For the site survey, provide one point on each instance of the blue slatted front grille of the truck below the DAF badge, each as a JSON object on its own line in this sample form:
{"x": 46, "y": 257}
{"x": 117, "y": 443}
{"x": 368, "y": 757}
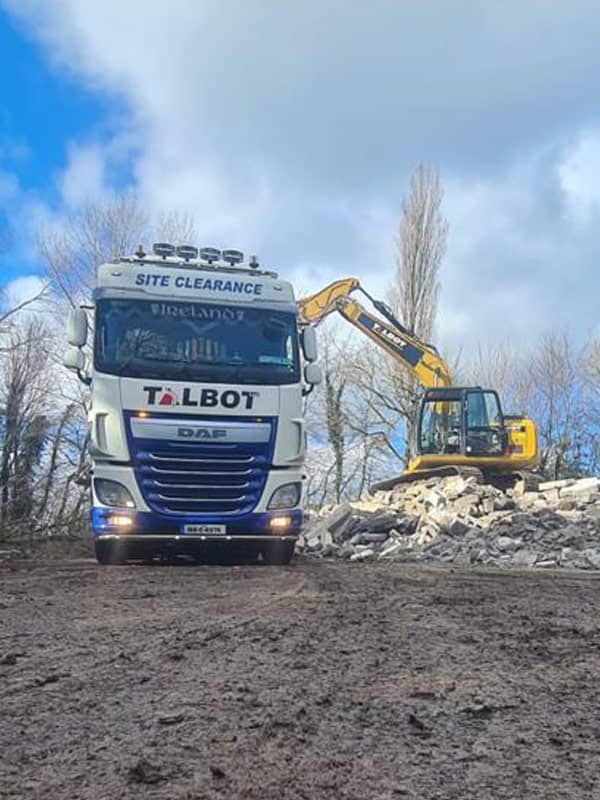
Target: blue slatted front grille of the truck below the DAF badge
{"x": 178, "y": 478}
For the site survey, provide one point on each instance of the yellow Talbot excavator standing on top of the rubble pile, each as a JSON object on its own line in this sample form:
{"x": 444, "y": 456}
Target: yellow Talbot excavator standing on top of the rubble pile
{"x": 460, "y": 429}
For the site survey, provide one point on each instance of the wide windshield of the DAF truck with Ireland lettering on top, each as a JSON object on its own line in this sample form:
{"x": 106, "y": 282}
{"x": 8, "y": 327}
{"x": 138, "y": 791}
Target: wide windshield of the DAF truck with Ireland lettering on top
{"x": 196, "y": 342}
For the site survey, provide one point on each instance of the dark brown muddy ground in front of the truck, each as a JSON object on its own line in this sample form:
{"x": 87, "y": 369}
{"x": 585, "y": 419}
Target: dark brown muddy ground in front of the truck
{"x": 316, "y": 680}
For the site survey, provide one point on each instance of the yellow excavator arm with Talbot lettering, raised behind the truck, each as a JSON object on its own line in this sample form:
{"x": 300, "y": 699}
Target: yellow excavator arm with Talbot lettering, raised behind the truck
{"x": 420, "y": 358}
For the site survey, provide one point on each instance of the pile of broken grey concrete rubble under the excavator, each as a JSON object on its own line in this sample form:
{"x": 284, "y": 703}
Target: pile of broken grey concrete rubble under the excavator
{"x": 456, "y": 519}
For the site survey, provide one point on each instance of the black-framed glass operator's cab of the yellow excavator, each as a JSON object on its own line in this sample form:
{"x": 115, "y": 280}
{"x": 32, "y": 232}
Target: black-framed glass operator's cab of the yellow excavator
{"x": 461, "y": 421}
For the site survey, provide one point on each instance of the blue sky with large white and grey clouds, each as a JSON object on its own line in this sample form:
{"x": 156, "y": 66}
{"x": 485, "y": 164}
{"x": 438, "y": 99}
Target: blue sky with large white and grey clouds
{"x": 290, "y": 130}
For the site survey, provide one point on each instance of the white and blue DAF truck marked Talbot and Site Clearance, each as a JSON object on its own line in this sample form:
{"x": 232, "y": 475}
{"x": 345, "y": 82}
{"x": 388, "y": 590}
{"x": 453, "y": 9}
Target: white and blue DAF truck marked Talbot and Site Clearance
{"x": 197, "y": 367}
